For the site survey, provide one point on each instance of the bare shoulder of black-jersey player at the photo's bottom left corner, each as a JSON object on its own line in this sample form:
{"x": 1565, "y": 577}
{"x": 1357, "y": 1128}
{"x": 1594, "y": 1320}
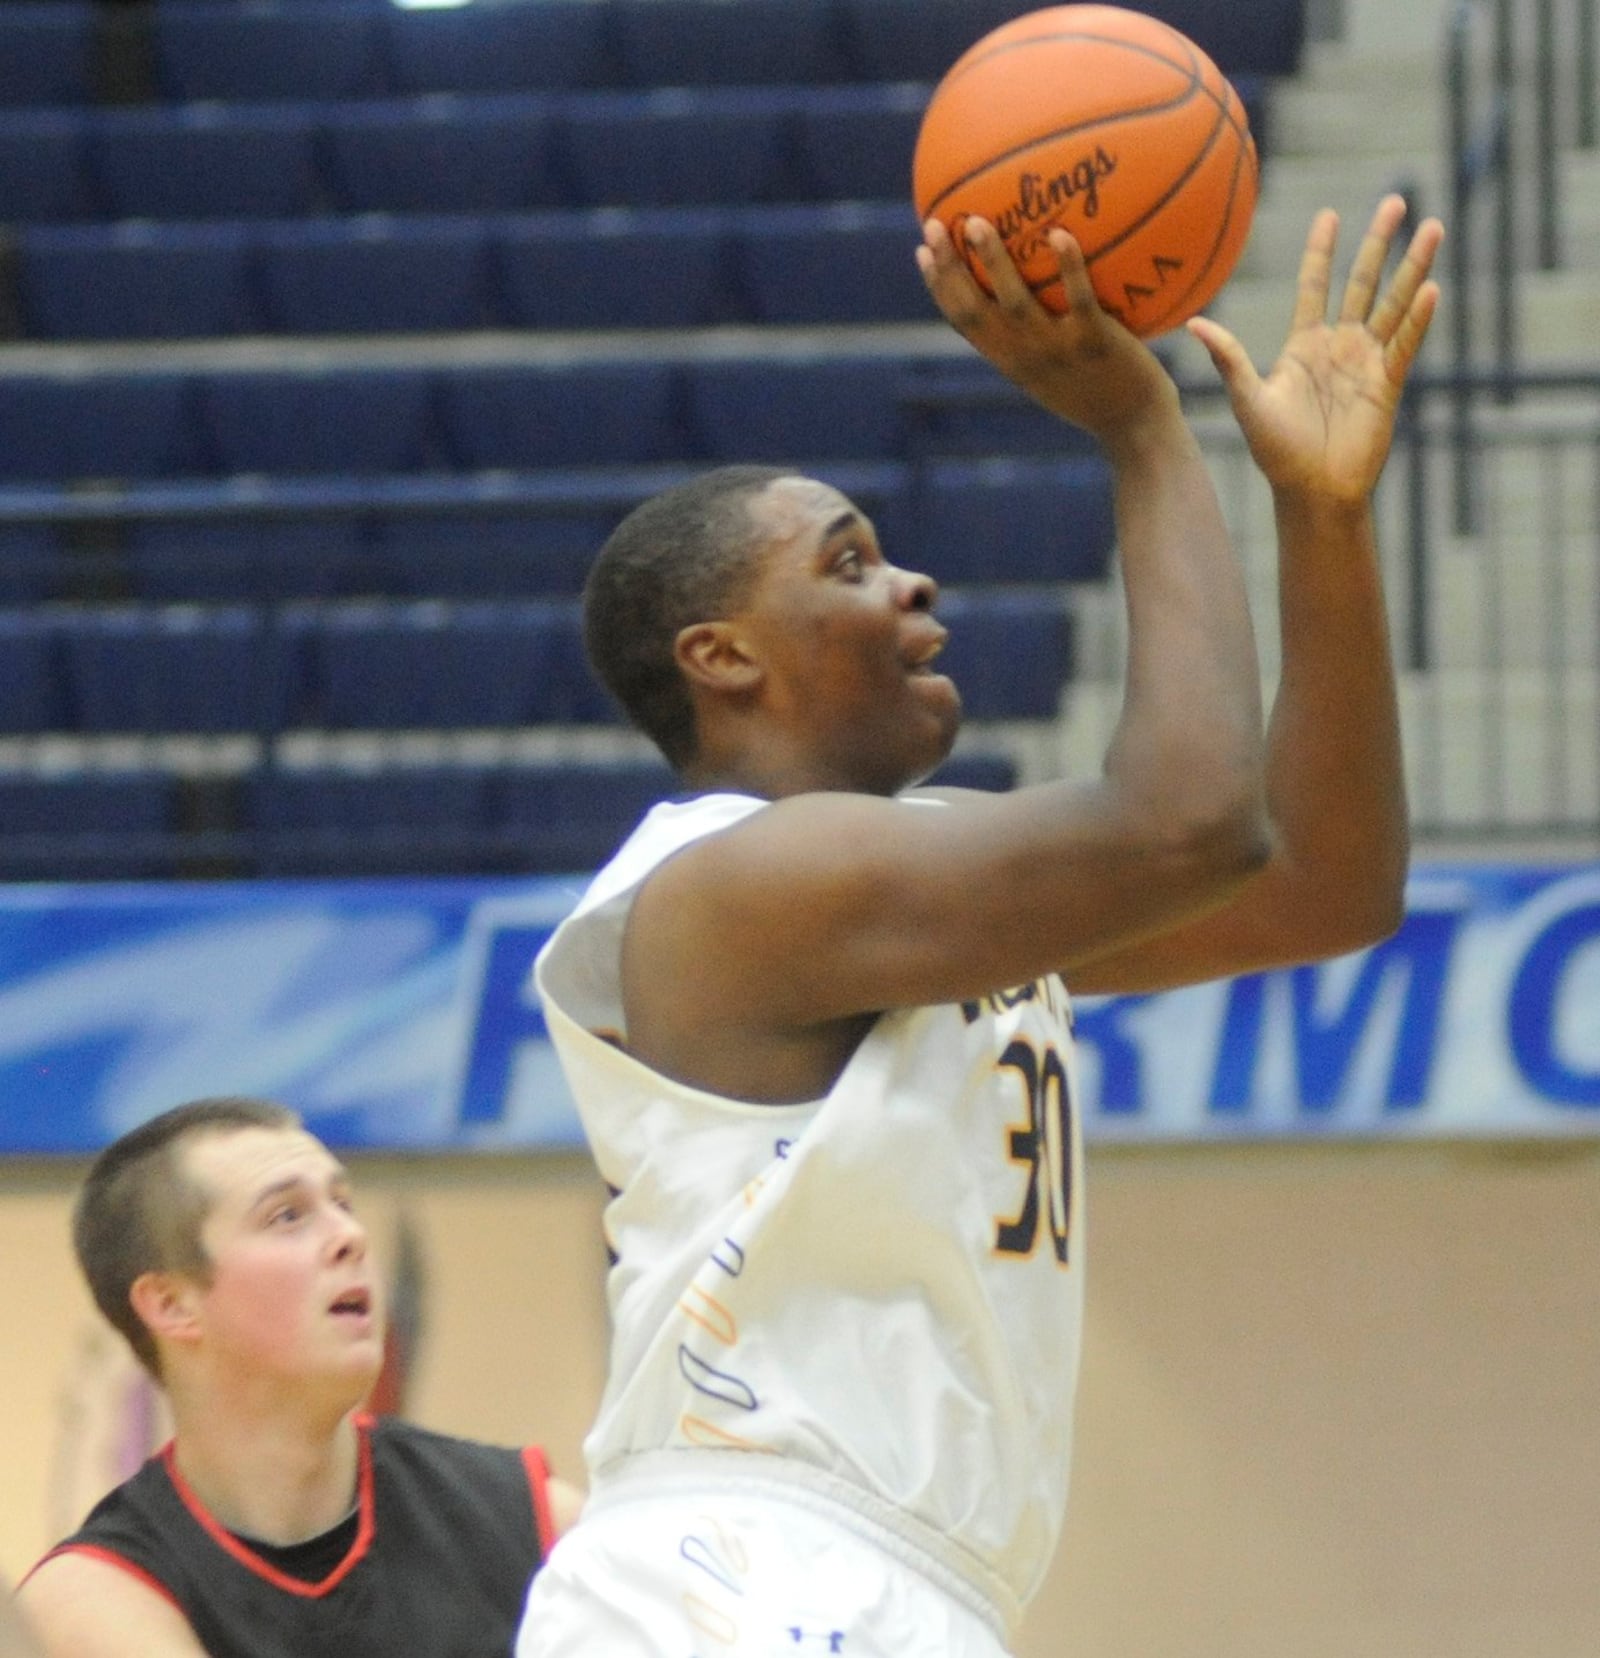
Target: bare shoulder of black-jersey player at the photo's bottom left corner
{"x": 82, "y": 1606}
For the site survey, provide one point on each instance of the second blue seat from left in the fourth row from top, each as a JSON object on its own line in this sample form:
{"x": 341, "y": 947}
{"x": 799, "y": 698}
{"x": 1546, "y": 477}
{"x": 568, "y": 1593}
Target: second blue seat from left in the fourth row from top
{"x": 331, "y": 420}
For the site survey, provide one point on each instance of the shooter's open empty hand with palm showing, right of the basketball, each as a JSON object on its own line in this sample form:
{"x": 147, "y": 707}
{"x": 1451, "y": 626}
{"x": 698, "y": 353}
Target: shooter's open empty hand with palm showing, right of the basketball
{"x": 1322, "y": 420}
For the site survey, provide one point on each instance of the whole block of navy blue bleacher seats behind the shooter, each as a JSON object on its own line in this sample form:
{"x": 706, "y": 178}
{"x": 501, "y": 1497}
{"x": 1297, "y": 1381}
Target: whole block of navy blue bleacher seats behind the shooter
{"x": 251, "y": 588}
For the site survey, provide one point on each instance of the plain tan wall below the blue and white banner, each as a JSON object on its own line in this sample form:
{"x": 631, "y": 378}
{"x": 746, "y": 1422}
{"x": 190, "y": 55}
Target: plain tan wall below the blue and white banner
{"x": 1337, "y": 1402}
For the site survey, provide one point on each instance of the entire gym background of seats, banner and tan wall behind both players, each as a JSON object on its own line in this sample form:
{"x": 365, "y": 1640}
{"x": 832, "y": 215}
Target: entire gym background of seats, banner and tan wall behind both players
{"x": 332, "y": 337}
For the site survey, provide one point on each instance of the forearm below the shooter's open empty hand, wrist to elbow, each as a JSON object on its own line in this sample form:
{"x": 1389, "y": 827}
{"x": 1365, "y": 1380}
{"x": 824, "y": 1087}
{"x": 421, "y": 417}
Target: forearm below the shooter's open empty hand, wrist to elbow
{"x": 1334, "y": 768}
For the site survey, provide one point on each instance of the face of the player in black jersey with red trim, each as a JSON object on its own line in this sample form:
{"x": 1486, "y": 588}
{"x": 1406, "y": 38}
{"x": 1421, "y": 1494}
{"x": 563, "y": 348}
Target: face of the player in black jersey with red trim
{"x": 293, "y": 1292}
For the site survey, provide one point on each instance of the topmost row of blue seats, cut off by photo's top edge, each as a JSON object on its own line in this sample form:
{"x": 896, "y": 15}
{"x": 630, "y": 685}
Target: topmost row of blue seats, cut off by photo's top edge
{"x": 226, "y": 51}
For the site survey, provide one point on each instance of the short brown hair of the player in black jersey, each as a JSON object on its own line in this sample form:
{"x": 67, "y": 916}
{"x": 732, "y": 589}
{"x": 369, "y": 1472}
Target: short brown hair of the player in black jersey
{"x": 140, "y": 1213}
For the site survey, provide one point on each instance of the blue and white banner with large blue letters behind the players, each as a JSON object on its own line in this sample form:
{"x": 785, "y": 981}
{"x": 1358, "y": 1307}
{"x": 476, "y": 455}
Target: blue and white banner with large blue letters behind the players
{"x": 402, "y": 1016}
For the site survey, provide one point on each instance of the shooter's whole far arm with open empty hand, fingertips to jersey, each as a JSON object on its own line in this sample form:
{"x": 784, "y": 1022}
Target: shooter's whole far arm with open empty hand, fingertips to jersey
{"x": 1319, "y": 427}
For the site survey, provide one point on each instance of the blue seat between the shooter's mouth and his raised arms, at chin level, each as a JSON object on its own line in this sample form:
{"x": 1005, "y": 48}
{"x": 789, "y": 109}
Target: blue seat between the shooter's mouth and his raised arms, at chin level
{"x": 1009, "y": 652}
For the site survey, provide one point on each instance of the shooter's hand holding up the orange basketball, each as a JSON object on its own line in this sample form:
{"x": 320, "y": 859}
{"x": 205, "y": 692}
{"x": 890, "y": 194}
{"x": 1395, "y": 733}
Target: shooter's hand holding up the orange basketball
{"x": 1082, "y": 364}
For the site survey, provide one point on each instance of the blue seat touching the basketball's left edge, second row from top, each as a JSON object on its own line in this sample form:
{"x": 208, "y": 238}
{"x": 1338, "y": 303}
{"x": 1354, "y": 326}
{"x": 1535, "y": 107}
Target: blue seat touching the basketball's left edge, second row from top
{"x": 856, "y": 142}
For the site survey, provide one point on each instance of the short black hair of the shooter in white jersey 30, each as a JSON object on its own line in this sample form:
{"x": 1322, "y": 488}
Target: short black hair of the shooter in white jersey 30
{"x": 681, "y": 558}
